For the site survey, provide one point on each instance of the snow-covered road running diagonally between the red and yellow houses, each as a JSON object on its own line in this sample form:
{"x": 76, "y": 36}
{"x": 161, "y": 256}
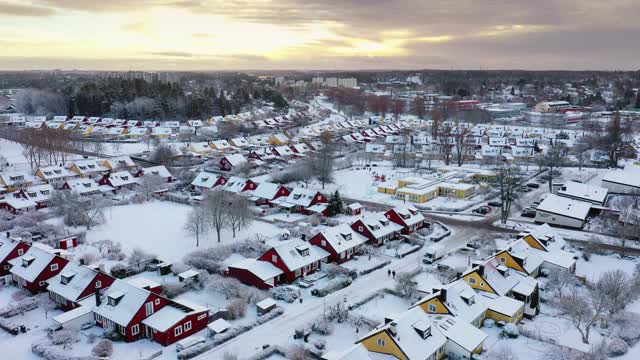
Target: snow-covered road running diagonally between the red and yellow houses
{"x": 279, "y": 331}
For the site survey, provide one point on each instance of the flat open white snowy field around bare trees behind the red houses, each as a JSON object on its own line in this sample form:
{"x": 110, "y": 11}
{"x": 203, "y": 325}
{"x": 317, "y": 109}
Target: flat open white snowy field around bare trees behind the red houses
{"x": 158, "y": 227}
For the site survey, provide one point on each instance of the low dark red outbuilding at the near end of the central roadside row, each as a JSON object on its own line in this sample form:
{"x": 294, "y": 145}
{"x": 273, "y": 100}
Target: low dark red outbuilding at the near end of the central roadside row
{"x": 261, "y": 274}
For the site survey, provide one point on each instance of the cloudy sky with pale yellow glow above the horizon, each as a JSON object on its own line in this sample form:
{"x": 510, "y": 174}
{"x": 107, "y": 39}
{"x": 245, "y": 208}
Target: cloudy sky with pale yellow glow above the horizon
{"x": 319, "y": 34}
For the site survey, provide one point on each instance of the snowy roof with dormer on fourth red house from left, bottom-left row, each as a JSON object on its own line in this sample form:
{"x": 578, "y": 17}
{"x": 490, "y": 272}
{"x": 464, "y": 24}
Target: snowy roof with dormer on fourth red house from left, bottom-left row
{"x": 129, "y": 299}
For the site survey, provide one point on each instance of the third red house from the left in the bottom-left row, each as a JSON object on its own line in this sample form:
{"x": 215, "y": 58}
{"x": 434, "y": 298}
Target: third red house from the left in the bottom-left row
{"x": 75, "y": 283}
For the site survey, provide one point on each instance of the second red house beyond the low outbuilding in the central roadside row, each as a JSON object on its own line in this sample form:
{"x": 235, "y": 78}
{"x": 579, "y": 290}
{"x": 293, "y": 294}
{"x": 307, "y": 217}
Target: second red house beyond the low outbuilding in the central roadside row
{"x": 341, "y": 242}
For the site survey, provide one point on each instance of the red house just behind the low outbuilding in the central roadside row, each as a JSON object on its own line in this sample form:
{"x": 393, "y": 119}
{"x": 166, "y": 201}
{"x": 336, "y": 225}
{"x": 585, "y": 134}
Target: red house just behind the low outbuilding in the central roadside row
{"x": 296, "y": 259}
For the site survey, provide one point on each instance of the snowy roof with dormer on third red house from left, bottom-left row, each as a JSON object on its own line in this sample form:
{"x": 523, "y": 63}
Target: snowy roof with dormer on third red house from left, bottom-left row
{"x": 72, "y": 281}
